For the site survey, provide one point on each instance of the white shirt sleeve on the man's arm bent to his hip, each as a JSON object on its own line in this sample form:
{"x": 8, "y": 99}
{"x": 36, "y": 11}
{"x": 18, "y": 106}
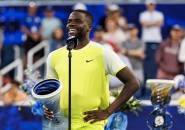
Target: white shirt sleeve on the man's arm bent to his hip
{"x": 113, "y": 64}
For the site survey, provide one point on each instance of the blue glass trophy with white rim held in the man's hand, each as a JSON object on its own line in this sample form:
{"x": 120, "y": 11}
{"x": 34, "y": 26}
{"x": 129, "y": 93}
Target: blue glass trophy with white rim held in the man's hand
{"x": 47, "y": 92}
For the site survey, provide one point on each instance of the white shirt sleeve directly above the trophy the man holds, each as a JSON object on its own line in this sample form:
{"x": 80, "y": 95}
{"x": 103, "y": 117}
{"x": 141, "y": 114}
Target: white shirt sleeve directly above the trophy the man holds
{"x": 50, "y": 72}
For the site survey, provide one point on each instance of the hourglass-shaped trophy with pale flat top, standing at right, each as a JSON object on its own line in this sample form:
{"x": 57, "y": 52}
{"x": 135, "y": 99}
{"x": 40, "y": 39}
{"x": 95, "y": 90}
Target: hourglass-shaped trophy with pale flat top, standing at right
{"x": 159, "y": 118}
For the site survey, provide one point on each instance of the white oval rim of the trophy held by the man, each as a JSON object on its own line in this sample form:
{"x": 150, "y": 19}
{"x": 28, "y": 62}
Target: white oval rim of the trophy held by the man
{"x": 47, "y": 95}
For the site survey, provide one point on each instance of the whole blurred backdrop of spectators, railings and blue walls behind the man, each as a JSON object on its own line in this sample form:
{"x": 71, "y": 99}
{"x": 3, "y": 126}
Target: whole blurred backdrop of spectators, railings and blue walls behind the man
{"x": 147, "y": 35}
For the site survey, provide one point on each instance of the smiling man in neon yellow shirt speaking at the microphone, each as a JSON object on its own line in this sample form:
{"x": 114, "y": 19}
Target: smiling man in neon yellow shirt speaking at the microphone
{"x": 91, "y": 64}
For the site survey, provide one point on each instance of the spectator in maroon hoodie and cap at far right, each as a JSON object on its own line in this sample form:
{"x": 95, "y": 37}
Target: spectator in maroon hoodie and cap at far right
{"x": 167, "y": 55}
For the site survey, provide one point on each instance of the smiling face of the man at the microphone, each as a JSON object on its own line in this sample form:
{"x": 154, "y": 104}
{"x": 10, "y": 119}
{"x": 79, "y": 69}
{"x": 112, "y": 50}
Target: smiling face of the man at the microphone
{"x": 78, "y": 25}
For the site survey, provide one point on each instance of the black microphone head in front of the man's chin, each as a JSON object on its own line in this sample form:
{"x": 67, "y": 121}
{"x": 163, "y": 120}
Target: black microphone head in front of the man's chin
{"x": 72, "y": 42}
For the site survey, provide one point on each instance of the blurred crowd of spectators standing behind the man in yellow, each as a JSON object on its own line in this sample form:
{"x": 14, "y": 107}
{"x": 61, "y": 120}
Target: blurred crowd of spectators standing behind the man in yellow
{"x": 149, "y": 56}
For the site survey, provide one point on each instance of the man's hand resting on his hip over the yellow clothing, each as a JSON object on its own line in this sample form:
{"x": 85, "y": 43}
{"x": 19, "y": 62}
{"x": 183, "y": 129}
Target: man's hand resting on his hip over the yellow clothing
{"x": 96, "y": 115}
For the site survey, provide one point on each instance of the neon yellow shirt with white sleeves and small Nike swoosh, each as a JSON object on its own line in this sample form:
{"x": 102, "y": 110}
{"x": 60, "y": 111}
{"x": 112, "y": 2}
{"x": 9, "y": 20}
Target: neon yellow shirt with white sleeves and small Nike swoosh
{"x": 90, "y": 91}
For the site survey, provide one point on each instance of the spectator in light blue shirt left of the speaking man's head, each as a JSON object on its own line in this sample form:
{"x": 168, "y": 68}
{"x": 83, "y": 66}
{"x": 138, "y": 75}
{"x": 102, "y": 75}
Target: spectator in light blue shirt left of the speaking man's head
{"x": 49, "y": 23}
